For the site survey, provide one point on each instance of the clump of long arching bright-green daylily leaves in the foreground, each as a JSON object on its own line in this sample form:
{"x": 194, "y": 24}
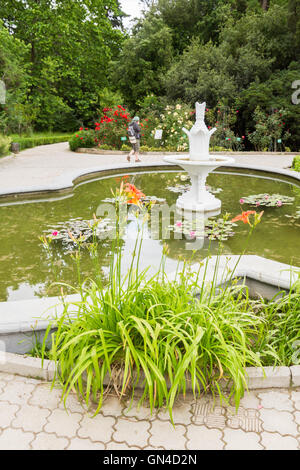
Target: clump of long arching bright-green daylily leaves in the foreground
{"x": 155, "y": 331}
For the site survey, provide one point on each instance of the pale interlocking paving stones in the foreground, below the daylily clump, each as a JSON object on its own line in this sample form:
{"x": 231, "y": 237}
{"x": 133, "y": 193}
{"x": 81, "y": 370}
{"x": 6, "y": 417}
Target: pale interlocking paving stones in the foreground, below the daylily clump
{"x": 32, "y": 416}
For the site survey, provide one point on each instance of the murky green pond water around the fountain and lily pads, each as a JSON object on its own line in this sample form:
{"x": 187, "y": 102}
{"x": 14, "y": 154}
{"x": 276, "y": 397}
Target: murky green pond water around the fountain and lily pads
{"x": 25, "y": 268}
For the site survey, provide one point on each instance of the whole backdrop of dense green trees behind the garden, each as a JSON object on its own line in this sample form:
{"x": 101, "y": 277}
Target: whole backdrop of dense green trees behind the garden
{"x": 63, "y": 62}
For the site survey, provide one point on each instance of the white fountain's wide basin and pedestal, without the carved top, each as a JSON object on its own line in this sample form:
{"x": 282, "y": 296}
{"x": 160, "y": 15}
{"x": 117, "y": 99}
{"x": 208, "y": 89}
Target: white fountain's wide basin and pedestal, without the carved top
{"x": 198, "y": 199}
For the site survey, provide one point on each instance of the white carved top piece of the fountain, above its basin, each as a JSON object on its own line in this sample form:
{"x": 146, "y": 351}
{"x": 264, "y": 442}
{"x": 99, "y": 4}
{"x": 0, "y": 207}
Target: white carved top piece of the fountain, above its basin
{"x": 199, "y": 136}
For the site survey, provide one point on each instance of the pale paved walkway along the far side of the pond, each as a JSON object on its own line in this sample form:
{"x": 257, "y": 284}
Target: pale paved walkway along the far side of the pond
{"x": 55, "y": 166}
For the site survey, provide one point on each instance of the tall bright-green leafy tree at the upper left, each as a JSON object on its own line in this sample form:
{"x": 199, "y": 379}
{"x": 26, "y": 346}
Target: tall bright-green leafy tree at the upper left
{"x": 70, "y": 46}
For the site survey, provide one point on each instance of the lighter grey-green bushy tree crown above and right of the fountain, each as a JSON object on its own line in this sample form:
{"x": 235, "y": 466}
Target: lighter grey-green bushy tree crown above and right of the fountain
{"x": 250, "y": 50}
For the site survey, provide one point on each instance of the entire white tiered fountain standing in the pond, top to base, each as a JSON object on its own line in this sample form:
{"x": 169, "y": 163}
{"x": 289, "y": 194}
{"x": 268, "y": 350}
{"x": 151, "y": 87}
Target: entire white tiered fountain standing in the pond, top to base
{"x": 199, "y": 164}
